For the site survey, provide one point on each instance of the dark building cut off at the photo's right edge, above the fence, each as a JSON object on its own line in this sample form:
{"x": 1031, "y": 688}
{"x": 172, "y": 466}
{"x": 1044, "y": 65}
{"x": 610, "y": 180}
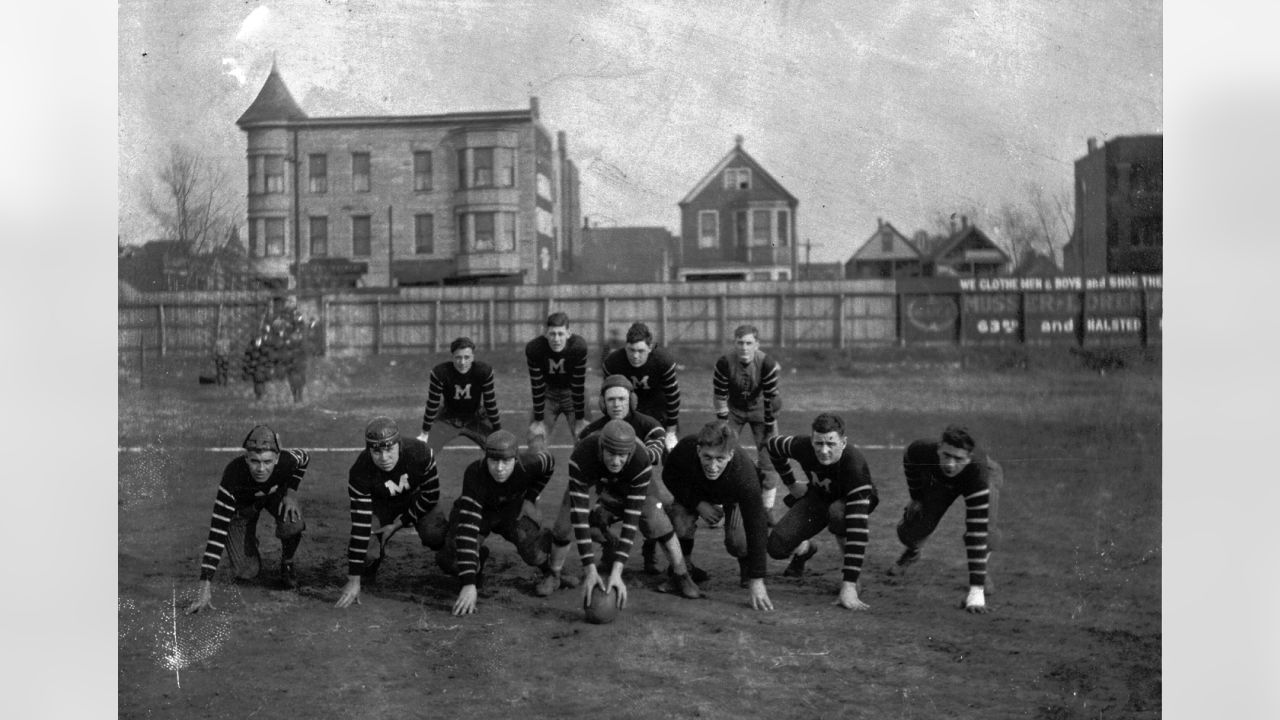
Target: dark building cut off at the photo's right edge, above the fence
{"x": 1119, "y": 208}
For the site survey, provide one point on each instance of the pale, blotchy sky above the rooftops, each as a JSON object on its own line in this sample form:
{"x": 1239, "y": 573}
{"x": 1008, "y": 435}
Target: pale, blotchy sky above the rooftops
{"x": 863, "y": 111}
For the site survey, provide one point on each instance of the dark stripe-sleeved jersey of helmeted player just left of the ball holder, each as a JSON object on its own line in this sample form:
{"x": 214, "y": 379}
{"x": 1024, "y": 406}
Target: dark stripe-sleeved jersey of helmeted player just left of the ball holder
{"x": 482, "y": 495}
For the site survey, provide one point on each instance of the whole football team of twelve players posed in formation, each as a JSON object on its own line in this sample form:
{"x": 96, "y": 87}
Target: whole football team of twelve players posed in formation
{"x": 647, "y": 481}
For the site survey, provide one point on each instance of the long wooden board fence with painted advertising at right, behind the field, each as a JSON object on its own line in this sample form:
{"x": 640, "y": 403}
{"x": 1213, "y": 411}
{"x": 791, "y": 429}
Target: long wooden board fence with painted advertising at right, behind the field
{"x": 1116, "y": 311}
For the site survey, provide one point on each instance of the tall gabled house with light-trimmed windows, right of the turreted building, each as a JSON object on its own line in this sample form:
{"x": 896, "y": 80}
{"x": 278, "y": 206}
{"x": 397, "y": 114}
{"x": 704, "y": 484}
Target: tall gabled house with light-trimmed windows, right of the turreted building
{"x": 738, "y": 224}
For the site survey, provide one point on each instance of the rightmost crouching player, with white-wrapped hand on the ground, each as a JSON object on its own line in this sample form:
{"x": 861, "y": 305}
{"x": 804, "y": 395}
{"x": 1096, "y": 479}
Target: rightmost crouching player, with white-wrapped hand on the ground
{"x": 936, "y": 475}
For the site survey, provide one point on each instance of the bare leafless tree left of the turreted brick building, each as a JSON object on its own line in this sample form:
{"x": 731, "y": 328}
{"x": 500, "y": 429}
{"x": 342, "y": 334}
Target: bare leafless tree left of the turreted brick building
{"x": 193, "y": 207}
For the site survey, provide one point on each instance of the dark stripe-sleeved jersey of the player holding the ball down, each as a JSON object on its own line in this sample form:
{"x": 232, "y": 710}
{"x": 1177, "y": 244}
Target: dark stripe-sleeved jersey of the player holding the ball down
{"x": 630, "y": 485}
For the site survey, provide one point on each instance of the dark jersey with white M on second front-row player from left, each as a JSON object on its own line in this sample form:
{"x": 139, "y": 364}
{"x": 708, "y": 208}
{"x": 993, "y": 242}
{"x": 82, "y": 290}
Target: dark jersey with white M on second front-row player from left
{"x": 408, "y": 491}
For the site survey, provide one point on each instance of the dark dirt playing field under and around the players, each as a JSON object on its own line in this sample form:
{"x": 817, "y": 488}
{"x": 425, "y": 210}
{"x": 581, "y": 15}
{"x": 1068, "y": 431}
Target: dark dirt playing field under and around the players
{"x": 1075, "y": 631}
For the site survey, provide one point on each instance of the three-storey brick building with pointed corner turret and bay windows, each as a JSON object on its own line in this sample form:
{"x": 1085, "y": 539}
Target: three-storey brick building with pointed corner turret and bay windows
{"x": 399, "y": 200}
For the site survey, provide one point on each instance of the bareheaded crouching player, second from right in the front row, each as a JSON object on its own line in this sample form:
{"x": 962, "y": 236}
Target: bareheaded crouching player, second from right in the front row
{"x": 839, "y": 496}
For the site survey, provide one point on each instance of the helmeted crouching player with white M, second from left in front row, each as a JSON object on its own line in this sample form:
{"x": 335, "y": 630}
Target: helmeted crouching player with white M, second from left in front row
{"x": 392, "y": 485}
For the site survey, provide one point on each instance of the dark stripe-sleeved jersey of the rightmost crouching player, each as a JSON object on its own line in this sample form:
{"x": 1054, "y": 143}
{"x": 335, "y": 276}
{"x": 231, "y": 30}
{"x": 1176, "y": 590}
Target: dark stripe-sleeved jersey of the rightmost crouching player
{"x": 927, "y": 485}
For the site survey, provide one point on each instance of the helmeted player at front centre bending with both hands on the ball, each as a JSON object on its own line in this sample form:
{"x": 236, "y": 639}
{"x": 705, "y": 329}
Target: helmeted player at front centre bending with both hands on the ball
{"x": 615, "y": 463}
